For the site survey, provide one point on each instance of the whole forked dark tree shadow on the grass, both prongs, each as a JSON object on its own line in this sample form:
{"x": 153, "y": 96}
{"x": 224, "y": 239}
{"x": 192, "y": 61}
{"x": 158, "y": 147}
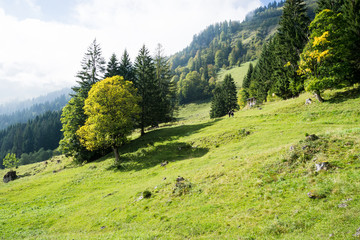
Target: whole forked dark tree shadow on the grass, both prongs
{"x": 152, "y": 149}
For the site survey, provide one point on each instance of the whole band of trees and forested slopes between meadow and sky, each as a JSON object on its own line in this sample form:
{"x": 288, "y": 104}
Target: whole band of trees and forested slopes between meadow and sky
{"x": 296, "y": 50}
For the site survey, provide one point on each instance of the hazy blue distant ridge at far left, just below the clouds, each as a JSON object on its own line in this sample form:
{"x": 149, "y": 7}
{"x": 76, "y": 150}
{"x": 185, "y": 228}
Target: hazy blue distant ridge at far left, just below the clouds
{"x": 22, "y": 116}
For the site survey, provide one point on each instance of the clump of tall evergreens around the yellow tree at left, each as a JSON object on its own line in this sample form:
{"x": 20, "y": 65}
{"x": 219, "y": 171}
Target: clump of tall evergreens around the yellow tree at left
{"x": 150, "y": 75}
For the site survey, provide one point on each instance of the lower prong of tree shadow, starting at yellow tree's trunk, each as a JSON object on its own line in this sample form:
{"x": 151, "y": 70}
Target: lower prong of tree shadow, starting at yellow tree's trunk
{"x": 155, "y": 155}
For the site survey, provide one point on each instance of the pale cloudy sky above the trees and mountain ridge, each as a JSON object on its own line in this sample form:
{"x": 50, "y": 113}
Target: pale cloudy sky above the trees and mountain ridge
{"x": 43, "y": 41}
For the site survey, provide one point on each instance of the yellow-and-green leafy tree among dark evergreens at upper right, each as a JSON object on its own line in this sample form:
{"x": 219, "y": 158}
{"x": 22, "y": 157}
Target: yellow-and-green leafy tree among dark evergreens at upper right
{"x": 324, "y": 60}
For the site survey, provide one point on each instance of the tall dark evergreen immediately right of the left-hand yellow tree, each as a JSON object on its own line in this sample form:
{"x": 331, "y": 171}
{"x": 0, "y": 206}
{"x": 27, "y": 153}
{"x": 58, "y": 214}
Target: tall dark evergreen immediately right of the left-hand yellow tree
{"x": 148, "y": 89}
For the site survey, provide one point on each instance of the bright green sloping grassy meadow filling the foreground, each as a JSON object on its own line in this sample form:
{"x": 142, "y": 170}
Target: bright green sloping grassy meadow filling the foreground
{"x": 246, "y": 177}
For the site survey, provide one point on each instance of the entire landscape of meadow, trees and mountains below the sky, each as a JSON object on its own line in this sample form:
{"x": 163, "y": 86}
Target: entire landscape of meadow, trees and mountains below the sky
{"x": 250, "y": 132}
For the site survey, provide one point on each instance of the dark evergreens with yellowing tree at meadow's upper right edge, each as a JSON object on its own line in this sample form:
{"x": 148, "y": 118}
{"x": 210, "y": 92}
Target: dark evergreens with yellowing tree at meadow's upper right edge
{"x": 307, "y": 55}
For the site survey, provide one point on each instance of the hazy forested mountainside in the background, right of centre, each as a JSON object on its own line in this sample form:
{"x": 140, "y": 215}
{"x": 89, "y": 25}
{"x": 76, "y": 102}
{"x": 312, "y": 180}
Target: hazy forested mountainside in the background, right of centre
{"x": 221, "y": 45}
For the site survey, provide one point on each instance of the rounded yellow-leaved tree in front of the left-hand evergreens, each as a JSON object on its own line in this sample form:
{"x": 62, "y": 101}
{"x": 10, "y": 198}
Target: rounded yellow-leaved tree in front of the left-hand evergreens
{"x": 111, "y": 107}
